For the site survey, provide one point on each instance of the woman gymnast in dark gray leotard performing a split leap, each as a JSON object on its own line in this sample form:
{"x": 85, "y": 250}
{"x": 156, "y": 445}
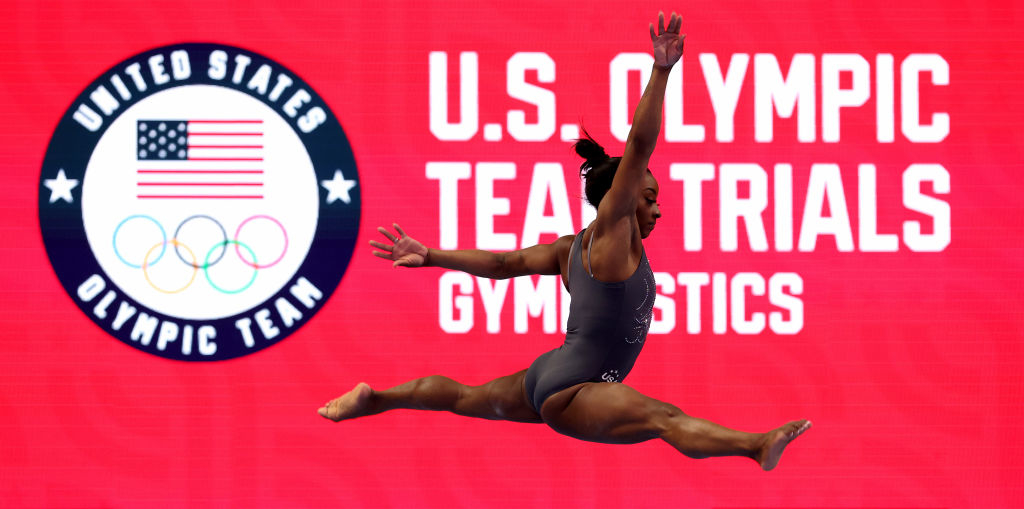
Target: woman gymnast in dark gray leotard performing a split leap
{"x": 577, "y": 389}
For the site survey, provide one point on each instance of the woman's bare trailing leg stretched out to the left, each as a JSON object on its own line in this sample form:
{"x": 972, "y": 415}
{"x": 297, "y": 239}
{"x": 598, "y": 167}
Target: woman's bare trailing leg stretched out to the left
{"x": 502, "y": 399}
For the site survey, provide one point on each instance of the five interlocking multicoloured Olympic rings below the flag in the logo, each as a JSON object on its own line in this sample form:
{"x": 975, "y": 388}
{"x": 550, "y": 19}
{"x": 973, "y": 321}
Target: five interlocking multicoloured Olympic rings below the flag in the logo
{"x": 209, "y": 261}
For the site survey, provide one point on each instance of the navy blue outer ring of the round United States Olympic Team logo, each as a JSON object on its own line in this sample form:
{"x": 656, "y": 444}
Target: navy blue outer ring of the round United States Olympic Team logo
{"x": 72, "y": 147}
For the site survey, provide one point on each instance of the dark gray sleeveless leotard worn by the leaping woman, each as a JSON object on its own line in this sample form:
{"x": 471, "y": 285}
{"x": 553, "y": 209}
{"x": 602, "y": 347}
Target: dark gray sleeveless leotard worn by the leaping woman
{"x": 607, "y": 329}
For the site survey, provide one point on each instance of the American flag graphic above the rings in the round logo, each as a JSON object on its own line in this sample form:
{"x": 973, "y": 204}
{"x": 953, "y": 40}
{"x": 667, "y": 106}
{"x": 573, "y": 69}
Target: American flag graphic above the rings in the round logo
{"x": 200, "y": 159}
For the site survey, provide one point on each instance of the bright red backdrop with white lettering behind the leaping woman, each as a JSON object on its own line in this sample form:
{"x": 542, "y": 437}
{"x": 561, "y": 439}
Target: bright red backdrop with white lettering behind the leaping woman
{"x": 908, "y": 360}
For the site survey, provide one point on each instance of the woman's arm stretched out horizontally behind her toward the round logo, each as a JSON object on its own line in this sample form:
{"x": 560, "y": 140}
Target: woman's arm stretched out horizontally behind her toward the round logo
{"x": 408, "y": 252}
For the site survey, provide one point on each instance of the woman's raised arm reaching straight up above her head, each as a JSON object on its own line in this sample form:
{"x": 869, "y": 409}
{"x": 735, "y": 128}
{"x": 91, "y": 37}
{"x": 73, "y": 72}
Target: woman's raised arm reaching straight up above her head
{"x": 668, "y": 48}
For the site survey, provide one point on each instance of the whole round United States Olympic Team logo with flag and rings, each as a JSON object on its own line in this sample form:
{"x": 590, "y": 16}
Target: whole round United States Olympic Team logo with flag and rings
{"x": 199, "y": 202}
